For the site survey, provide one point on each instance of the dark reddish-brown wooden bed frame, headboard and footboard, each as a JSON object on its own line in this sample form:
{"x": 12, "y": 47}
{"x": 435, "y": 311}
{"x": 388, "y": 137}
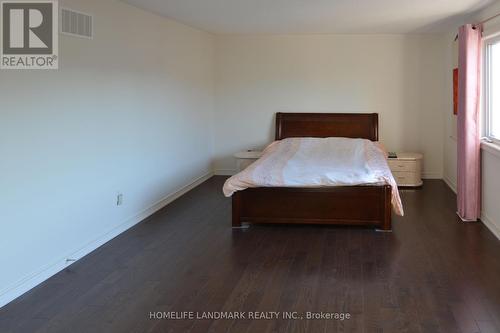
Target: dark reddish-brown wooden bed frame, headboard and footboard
{"x": 344, "y": 205}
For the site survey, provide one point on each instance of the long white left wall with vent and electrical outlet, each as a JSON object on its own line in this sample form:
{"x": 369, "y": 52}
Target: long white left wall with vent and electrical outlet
{"x": 130, "y": 112}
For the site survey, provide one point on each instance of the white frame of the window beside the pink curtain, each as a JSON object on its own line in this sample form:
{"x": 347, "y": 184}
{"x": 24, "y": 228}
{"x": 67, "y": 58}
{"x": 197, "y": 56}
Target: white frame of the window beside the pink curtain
{"x": 487, "y": 112}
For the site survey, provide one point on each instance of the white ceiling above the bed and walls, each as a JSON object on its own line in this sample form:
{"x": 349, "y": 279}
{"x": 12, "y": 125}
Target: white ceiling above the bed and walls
{"x": 315, "y": 16}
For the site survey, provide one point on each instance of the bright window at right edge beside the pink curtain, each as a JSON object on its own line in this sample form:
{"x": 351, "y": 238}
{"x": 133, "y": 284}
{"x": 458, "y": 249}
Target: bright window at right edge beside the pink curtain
{"x": 492, "y": 89}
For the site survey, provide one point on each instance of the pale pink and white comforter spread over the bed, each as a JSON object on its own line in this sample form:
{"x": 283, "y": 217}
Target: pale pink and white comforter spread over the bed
{"x": 317, "y": 162}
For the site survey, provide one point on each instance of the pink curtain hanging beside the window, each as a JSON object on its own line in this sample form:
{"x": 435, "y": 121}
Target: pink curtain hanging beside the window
{"x": 469, "y": 149}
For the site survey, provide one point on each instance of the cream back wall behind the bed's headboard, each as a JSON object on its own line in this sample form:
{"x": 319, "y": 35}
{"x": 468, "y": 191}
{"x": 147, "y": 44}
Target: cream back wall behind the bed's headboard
{"x": 399, "y": 76}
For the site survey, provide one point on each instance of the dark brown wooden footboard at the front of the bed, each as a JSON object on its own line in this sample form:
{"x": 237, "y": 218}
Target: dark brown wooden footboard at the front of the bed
{"x": 346, "y": 205}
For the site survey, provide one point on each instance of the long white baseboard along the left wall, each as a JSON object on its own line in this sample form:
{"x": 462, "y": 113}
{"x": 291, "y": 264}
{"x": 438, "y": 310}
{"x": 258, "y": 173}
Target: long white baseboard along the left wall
{"x": 27, "y": 283}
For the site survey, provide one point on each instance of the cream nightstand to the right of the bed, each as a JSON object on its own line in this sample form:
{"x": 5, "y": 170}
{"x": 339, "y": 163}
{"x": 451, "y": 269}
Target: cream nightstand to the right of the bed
{"x": 407, "y": 169}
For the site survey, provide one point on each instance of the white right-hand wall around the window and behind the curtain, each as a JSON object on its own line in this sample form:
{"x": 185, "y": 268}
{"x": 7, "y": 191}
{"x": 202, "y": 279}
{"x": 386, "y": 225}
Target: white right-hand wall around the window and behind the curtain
{"x": 490, "y": 157}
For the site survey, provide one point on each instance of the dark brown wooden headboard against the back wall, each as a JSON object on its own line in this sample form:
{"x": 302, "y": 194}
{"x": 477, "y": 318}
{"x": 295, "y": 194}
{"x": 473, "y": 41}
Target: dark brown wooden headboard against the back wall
{"x": 322, "y": 125}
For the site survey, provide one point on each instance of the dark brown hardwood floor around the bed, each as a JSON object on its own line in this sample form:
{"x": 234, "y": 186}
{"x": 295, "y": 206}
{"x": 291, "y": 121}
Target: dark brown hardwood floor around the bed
{"x": 432, "y": 274}
